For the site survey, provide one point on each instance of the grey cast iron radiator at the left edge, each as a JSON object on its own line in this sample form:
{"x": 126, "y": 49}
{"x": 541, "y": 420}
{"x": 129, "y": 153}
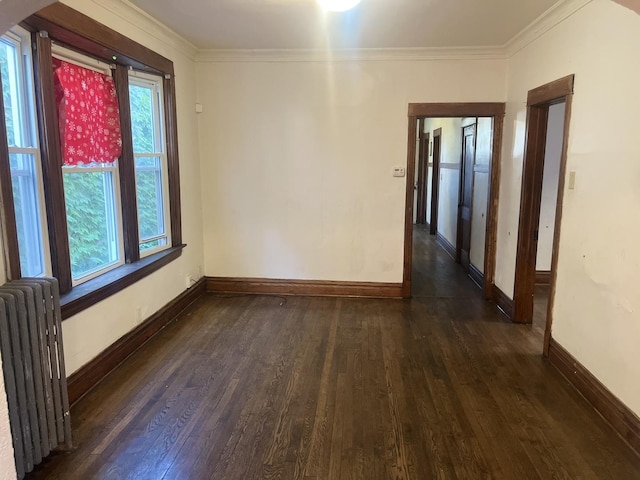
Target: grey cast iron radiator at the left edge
{"x": 33, "y": 367}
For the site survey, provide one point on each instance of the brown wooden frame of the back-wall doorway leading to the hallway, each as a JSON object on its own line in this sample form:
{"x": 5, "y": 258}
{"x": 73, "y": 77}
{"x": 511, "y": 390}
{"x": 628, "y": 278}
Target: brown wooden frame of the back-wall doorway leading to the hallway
{"x": 422, "y": 110}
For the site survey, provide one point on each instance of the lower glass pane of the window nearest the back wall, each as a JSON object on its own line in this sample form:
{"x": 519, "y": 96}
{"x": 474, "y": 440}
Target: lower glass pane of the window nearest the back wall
{"x": 150, "y": 202}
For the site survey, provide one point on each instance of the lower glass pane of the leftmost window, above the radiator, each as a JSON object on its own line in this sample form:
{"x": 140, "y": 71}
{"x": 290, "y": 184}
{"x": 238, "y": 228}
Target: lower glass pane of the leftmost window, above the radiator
{"x": 28, "y": 215}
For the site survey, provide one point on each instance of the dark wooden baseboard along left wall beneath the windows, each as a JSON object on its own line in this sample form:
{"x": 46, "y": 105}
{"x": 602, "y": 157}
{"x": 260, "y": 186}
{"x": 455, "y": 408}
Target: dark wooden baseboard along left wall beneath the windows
{"x": 88, "y": 376}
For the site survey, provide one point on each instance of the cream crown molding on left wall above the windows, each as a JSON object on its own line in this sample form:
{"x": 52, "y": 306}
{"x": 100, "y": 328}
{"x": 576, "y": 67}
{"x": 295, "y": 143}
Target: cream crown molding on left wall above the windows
{"x": 144, "y": 22}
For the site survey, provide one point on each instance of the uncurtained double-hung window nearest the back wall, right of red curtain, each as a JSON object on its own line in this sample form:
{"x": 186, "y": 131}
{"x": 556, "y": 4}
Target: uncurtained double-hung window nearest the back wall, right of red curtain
{"x": 152, "y": 186}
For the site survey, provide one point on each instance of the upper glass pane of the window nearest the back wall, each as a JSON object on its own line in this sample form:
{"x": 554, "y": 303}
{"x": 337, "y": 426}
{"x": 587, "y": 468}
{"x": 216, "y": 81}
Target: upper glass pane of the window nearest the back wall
{"x": 142, "y": 119}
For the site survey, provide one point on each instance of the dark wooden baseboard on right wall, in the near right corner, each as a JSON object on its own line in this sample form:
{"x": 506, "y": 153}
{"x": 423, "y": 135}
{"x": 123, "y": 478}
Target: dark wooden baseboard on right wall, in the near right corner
{"x": 622, "y": 419}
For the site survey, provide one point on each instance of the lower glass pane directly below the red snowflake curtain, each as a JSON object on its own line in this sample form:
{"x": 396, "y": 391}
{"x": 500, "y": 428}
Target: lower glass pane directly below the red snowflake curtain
{"x": 92, "y": 221}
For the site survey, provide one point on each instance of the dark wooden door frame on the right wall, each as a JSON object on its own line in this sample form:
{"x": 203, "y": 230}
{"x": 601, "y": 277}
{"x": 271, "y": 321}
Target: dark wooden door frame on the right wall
{"x": 538, "y": 102}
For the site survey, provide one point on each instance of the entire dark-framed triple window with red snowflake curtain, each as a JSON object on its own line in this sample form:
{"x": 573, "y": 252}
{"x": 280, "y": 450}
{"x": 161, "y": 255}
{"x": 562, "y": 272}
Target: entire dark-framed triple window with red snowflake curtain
{"x": 95, "y": 149}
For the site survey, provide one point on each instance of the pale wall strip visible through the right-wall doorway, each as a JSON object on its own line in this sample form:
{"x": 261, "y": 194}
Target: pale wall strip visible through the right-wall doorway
{"x": 549, "y": 200}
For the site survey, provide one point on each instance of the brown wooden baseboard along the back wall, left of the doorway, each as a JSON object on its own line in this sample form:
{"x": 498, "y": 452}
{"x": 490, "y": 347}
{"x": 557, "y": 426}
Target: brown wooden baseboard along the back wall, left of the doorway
{"x": 318, "y": 288}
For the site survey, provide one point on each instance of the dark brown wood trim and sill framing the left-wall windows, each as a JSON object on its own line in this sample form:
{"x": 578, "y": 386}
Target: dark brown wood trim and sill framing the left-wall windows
{"x": 70, "y": 28}
